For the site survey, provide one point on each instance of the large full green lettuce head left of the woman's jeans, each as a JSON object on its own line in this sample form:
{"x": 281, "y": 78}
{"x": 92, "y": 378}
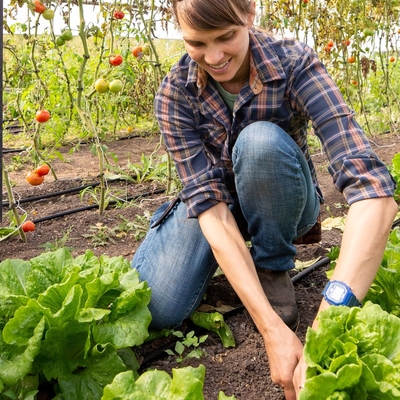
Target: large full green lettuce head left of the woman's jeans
{"x": 72, "y": 320}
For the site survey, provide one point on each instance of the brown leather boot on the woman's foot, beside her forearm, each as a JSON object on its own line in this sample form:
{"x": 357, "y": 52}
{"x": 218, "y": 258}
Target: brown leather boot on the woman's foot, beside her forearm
{"x": 279, "y": 290}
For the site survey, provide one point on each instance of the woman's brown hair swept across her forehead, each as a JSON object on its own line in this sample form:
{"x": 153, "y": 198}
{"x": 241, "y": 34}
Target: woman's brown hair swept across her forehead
{"x": 213, "y": 14}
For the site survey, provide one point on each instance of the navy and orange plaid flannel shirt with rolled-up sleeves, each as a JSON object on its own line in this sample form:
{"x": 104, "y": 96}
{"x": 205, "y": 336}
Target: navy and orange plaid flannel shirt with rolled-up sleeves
{"x": 288, "y": 86}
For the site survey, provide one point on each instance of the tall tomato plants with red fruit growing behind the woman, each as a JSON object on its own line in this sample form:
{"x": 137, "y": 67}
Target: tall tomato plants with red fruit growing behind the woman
{"x": 95, "y": 82}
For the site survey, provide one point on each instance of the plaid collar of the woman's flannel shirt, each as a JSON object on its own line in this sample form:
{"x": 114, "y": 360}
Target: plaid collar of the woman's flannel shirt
{"x": 264, "y": 65}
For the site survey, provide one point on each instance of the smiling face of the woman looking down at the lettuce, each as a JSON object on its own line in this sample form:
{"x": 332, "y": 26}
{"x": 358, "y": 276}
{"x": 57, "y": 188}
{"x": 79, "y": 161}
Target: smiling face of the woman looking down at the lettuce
{"x": 223, "y": 53}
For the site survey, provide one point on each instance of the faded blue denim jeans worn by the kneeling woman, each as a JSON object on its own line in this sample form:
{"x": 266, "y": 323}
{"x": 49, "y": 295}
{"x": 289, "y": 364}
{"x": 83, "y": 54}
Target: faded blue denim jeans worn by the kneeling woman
{"x": 275, "y": 203}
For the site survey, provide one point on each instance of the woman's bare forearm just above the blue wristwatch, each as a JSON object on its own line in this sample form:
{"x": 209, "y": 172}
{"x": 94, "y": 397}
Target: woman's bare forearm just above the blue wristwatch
{"x": 367, "y": 227}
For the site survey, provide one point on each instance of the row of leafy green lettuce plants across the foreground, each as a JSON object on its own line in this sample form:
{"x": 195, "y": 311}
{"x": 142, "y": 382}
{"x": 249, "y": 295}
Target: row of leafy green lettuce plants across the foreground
{"x": 75, "y": 323}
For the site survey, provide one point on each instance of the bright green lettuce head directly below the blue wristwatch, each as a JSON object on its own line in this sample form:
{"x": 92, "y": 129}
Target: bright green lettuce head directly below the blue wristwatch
{"x": 354, "y": 354}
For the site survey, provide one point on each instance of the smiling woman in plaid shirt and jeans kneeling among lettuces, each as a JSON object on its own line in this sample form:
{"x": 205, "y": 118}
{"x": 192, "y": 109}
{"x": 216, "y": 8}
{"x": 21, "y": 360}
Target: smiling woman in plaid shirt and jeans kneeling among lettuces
{"x": 234, "y": 112}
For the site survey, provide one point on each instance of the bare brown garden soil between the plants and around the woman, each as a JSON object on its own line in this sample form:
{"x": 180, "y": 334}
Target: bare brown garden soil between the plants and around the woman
{"x": 242, "y": 370}
